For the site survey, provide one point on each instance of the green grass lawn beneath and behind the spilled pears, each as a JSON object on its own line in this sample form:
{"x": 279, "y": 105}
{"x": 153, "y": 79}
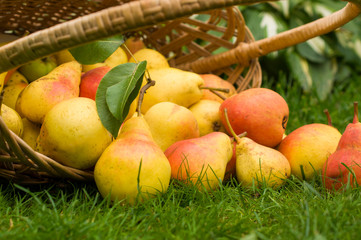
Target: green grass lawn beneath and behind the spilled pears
{"x": 298, "y": 210}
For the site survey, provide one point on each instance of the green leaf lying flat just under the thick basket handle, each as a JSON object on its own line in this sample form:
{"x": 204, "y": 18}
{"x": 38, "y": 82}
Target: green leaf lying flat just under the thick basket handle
{"x": 96, "y": 51}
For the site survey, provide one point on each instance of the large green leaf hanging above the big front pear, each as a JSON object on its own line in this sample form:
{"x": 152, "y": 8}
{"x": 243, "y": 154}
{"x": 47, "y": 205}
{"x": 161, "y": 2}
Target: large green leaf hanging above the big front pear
{"x": 116, "y": 91}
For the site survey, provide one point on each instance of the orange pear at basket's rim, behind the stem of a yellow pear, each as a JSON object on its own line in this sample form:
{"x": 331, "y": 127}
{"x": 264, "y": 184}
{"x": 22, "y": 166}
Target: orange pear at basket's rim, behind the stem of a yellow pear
{"x": 214, "y": 81}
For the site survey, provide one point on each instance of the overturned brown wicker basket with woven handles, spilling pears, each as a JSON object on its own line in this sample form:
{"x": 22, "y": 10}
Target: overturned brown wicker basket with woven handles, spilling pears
{"x": 170, "y": 26}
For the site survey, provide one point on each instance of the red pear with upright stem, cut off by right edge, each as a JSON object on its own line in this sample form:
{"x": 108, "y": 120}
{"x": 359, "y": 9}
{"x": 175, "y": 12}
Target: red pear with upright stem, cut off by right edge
{"x": 343, "y": 167}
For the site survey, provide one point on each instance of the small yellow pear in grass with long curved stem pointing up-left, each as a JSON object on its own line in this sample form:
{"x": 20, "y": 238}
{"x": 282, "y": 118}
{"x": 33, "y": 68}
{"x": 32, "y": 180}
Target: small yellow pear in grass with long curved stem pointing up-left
{"x": 258, "y": 165}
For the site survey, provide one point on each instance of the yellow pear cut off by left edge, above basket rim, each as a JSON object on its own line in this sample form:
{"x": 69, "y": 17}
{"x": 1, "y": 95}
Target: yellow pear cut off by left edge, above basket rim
{"x": 12, "y": 120}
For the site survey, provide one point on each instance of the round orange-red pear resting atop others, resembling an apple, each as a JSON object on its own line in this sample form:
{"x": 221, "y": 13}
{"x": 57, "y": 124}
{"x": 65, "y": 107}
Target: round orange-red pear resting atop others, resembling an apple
{"x": 260, "y": 112}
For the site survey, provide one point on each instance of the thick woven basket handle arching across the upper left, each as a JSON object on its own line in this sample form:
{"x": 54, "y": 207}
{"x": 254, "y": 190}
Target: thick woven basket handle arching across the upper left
{"x": 111, "y": 21}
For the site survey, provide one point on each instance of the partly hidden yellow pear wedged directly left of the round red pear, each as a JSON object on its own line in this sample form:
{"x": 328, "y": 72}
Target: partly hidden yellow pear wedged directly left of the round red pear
{"x": 207, "y": 115}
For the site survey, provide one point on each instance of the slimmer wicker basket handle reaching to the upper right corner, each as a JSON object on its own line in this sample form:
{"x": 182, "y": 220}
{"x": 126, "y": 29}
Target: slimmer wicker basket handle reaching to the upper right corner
{"x": 245, "y": 52}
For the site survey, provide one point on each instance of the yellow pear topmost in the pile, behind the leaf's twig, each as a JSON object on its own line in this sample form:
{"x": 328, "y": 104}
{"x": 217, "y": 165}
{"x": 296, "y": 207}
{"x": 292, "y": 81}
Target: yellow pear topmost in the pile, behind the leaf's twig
{"x": 154, "y": 58}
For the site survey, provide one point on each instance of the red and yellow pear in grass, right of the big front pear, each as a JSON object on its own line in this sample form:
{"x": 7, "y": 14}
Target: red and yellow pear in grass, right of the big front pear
{"x": 201, "y": 161}
